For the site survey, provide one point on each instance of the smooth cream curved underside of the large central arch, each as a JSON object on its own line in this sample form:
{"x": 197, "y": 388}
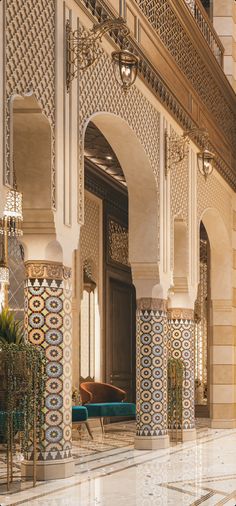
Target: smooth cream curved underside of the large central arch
{"x": 141, "y": 184}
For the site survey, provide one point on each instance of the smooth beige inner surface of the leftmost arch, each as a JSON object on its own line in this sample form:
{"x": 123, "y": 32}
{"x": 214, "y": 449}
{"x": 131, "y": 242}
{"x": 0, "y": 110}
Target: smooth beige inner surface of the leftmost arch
{"x": 32, "y": 157}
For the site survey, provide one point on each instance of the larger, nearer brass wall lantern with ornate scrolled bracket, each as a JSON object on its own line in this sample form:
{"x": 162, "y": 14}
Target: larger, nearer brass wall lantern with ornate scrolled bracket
{"x": 83, "y": 50}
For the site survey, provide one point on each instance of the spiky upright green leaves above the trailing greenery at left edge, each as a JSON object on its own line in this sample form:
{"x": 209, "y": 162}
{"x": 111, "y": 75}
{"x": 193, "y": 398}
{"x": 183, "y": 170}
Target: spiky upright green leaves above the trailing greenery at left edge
{"x": 11, "y": 331}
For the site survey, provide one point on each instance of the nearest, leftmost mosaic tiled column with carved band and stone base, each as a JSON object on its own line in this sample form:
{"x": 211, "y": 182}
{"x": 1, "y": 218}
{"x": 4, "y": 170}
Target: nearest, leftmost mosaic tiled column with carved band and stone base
{"x": 48, "y": 295}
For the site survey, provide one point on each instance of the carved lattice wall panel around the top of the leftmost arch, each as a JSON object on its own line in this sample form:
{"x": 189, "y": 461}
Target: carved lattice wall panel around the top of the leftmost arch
{"x": 30, "y": 64}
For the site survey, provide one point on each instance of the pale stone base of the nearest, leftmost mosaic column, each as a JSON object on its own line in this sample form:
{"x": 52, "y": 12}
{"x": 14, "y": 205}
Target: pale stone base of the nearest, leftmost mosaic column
{"x": 49, "y": 470}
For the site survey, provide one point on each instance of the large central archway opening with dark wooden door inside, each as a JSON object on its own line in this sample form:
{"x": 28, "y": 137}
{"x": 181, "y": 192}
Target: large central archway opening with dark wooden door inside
{"x": 120, "y": 228}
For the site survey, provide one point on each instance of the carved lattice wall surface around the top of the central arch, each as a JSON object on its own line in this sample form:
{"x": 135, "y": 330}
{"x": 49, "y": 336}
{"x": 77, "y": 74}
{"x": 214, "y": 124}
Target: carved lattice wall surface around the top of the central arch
{"x": 105, "y": 95}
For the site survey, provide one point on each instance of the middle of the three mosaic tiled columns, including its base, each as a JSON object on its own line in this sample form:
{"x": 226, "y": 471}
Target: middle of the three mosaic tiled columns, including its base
{"x": 151, "y": 387}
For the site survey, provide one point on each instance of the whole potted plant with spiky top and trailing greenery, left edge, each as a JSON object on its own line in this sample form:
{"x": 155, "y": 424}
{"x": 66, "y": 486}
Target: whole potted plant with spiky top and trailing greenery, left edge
{"x": 21, "y": 380}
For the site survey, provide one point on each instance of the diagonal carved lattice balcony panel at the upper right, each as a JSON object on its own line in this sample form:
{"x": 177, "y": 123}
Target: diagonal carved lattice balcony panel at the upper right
{"x": 164, "y": 20}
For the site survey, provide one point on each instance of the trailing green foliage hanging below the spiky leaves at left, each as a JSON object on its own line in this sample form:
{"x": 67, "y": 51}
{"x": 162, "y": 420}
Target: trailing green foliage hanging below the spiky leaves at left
{"x": 22, "y": 380}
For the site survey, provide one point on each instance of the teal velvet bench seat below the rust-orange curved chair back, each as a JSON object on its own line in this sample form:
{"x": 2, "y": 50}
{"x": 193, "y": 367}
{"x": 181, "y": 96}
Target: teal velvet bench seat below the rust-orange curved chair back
{"x": 109, "y": 409}
